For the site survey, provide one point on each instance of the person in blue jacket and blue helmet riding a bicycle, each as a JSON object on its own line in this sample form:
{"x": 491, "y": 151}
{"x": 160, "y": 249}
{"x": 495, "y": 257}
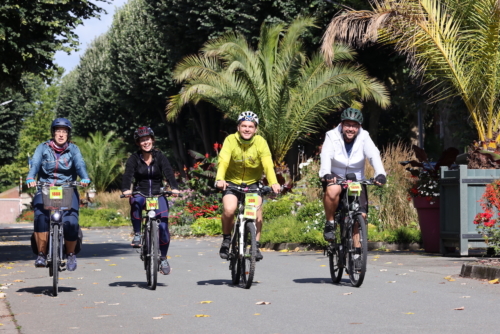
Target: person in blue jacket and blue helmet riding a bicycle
{"x": 57, "y": 161}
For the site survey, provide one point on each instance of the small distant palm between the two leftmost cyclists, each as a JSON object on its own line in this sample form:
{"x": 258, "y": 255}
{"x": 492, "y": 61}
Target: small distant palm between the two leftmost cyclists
{"x": 103, "y": 156}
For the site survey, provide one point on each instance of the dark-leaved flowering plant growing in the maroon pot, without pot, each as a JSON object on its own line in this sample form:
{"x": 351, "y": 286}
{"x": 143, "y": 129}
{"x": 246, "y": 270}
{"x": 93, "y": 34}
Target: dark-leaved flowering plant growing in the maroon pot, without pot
{"x": 426, "y": 173}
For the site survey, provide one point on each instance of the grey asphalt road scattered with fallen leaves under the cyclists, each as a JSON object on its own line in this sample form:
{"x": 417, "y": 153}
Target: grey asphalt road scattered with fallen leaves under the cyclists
{"x": 403, "y": 292}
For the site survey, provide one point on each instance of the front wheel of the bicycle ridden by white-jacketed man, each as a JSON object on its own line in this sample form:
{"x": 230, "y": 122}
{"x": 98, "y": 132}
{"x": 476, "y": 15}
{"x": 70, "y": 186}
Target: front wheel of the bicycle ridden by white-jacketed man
{"x": 357, "y": 258}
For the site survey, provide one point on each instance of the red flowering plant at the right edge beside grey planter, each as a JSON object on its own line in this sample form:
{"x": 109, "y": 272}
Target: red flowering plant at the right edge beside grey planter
{"x": 487, "y": 222}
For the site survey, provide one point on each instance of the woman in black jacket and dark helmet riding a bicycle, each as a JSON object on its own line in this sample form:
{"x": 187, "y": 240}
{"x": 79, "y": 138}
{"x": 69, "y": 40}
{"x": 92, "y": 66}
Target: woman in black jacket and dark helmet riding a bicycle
{"x": 147, "y": 167}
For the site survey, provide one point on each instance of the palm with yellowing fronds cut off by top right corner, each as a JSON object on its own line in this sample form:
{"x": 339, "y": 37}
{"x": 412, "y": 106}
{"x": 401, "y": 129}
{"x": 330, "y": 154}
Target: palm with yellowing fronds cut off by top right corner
{"x": 454, "y": 45}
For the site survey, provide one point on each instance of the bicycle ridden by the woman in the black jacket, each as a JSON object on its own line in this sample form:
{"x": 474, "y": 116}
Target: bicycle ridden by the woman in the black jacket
{"x": 150, "y": 247}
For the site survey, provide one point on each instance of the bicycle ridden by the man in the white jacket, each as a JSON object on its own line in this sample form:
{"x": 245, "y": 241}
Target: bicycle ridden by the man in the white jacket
{"x": 342, "y": 253}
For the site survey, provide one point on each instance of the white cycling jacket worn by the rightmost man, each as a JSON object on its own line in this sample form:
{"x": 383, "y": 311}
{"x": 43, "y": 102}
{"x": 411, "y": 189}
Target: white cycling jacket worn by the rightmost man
{"x": 334, "y": 157}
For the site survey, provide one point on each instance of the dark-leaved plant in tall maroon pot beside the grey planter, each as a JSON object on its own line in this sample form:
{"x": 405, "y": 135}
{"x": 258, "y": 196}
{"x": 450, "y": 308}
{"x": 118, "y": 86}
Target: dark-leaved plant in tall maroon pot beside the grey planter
{"x": 425, "y": 192}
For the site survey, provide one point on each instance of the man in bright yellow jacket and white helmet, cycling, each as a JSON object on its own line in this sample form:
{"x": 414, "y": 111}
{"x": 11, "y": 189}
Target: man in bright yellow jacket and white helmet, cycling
{"x": 243, "y": 158}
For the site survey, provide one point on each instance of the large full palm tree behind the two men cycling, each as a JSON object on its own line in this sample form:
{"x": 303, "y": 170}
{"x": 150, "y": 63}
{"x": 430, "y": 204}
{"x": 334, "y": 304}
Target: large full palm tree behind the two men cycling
{"x": 290, "y": 92}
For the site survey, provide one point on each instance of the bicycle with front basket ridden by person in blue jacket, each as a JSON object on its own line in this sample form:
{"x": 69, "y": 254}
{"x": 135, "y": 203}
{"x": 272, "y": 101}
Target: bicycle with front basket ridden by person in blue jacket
{"x": 56, "y": 199}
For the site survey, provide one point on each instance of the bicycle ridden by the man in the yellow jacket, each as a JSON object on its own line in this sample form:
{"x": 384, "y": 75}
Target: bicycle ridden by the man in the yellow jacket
{"x": 243, "y": 247}
